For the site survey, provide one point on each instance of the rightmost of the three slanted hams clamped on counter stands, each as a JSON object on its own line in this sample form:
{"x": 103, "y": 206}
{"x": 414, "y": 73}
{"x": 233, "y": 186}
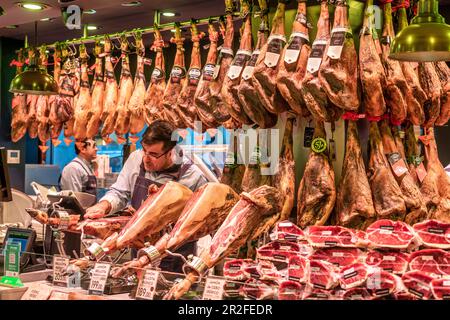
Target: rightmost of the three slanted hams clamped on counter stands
{"x": 250, "y": 212}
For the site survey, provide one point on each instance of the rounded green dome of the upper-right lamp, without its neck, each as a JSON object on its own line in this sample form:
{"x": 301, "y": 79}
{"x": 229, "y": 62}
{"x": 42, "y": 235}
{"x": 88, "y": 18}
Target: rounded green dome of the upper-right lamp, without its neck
{"x": 422, "y": 42}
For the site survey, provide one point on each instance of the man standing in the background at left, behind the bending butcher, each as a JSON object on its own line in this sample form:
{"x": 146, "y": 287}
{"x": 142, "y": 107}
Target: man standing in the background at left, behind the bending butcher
{"x": 79, "y": 175}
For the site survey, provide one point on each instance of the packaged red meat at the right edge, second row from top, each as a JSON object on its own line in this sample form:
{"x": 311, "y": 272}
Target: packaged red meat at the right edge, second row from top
{"x": 435, "y": 262}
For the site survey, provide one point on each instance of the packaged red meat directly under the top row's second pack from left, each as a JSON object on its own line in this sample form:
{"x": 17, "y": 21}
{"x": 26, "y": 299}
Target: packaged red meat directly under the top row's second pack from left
{"x": 338, "y": 256}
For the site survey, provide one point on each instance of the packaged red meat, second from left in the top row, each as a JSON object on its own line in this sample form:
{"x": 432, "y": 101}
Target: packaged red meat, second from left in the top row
{"x": 331, "y": 236}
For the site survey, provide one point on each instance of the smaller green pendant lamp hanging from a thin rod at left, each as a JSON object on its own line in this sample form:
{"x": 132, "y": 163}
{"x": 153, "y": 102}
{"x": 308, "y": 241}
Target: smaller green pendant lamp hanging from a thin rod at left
{"x": 34, "y": 80}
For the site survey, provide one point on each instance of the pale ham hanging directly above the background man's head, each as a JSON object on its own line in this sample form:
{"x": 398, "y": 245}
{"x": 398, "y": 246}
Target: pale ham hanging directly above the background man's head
{"x": 83, "y": 105}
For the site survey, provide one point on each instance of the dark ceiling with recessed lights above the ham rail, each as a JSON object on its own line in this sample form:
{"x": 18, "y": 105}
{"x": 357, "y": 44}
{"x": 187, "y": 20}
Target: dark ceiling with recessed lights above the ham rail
{"x": 111, "y": 16}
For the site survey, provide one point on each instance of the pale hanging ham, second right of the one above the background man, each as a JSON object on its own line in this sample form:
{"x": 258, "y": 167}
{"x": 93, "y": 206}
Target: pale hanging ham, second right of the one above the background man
{"x": 109, "y": 114}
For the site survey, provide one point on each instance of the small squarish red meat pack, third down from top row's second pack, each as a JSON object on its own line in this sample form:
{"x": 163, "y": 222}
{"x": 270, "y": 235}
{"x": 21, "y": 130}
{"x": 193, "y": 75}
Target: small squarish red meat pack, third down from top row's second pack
{"x": 322, "y": 275}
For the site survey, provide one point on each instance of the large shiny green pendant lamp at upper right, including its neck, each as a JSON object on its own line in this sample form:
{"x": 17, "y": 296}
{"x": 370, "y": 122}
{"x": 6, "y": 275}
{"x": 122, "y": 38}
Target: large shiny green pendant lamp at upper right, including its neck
{"x": 427, "y": 38}
